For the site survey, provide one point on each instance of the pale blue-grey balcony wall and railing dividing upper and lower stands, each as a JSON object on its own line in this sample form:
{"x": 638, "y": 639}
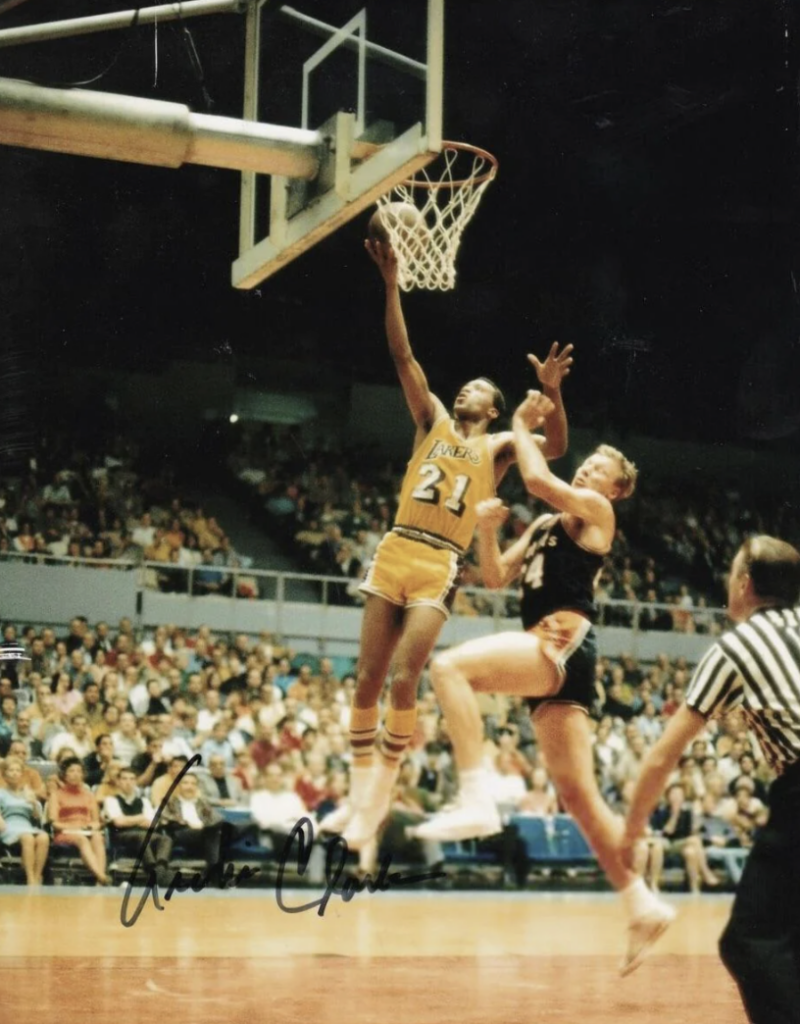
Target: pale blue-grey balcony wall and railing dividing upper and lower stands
{"x": 310, "y": 612}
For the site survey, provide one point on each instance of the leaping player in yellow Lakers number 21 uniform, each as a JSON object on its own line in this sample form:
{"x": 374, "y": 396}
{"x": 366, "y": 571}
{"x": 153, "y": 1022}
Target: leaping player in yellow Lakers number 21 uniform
{"x": 412, "y": 581}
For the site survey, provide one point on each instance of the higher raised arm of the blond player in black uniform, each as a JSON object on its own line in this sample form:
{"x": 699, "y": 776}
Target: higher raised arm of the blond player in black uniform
{"x": 581, "y": 502}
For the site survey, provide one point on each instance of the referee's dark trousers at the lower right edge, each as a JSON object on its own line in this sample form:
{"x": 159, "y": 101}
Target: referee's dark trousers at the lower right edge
{"x": 762, "y": 944}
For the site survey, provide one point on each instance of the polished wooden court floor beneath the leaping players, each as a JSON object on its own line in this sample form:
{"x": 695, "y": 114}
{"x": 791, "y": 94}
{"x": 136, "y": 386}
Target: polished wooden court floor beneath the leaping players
{"x": 423, "y": 959}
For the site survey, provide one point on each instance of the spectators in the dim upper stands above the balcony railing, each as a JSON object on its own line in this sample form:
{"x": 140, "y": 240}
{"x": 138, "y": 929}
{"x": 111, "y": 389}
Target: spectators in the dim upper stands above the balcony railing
{"x": 331, "y": 507}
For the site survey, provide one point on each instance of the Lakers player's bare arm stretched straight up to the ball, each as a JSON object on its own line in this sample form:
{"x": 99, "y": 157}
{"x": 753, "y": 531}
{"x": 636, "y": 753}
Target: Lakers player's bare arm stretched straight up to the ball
{"x": 425, "y": 407}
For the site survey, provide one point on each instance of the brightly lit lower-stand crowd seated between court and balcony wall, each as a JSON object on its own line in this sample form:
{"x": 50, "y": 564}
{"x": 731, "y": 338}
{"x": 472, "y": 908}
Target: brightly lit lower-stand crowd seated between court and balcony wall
{"x": 118, "y": 716}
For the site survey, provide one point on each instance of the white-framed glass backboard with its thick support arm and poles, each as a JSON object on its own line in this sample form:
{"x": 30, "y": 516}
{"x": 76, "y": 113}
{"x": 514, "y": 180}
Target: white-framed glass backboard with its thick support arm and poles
{"x": 349, "y": 172}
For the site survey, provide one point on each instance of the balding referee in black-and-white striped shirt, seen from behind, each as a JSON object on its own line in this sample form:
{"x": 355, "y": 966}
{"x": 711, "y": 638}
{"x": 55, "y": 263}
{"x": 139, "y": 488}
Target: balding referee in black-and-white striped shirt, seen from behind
{"x": 755, "y": 666}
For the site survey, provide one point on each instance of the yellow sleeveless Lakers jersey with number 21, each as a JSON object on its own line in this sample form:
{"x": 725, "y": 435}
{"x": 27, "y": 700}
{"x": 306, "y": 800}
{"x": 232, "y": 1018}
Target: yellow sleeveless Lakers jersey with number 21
{"x": 446, "y": 479}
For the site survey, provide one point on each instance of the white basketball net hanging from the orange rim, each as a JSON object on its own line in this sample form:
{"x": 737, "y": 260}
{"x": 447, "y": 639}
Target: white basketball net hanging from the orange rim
{"x": 427, "y": 255}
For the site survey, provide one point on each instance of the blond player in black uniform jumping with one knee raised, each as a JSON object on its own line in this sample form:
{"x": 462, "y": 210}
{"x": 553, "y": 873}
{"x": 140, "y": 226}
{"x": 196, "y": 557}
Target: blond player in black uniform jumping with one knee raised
{"x": 552, "y": 663}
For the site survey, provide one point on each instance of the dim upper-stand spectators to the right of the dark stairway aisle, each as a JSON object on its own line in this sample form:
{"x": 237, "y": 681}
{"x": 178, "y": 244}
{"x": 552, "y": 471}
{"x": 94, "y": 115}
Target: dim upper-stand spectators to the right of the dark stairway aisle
{"x": 332, "y": 508}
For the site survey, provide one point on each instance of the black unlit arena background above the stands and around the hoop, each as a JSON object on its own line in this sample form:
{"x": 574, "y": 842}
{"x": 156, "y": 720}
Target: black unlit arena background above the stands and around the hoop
{"x": 647, "y": 209}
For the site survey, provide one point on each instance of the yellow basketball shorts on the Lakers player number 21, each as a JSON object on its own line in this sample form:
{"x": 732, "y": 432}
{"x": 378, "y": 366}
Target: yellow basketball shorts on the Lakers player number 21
{"x": 413, "y": 573}
